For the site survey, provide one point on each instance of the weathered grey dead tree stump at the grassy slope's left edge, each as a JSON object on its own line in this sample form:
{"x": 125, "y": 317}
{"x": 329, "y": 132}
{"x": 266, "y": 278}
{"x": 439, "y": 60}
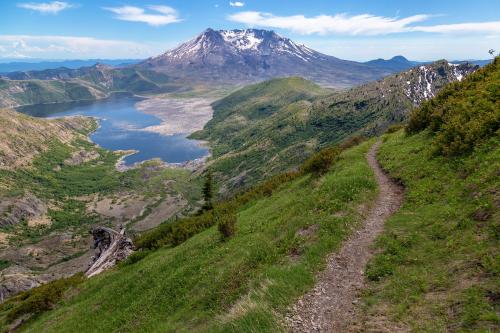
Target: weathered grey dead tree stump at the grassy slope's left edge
{"x": 110, "y": 247}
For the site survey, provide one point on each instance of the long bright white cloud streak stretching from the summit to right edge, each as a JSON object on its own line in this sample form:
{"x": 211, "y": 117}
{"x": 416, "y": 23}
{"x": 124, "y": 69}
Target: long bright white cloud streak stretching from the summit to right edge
{"x": 365, "y": 24}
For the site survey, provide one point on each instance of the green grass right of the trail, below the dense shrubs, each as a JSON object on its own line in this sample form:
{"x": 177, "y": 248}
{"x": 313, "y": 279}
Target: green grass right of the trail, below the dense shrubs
{"x": 438, "y": 267}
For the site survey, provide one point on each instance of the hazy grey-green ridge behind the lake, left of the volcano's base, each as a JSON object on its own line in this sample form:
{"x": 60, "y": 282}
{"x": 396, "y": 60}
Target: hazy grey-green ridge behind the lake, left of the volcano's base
{"x": 85, "y": 83}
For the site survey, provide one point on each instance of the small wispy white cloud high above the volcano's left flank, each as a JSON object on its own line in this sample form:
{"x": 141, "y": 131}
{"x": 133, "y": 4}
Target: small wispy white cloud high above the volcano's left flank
{"x": 161, "y": 14}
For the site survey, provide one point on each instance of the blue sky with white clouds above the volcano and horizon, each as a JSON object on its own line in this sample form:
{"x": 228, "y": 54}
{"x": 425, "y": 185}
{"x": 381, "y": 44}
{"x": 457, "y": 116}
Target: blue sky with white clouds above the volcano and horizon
{"x": 354, "y": 29}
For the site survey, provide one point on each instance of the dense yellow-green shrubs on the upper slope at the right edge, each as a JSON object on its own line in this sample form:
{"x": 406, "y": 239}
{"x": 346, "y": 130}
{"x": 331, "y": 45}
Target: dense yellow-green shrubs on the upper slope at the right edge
{"x": 463, "y": 114}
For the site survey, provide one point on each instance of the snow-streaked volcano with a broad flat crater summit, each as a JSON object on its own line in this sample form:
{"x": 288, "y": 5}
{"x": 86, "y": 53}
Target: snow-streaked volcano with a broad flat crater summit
{"x": 241, "y": 56}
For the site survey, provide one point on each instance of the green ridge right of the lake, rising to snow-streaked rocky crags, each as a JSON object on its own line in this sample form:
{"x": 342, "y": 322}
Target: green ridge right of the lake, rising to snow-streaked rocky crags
{"x": 247, "y": 147}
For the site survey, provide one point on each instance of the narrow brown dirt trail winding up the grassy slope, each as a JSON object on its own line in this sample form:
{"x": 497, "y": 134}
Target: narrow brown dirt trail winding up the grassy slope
{"x": 331, "y": 305}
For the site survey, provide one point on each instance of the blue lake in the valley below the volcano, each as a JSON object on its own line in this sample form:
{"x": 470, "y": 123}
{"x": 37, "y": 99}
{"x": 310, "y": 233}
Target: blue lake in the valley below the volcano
{"x": 120, "y": 128}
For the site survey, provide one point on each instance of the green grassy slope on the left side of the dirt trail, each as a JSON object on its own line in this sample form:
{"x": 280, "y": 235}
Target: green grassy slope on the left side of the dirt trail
{"x": 242, "y": 284}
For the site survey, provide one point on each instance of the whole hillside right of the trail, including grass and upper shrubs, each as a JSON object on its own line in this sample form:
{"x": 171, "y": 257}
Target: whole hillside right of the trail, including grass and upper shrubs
{"x": 438, "y": 267}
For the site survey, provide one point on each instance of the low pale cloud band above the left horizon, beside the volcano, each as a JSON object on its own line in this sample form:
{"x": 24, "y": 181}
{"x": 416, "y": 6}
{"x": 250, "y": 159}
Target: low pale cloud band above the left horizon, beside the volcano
{"x": 69, "y": 47}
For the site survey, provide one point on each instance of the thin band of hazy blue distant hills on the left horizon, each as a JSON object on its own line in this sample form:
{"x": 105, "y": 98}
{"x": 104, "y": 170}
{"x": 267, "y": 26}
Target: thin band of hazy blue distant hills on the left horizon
{"x": 15, "y": 66}
